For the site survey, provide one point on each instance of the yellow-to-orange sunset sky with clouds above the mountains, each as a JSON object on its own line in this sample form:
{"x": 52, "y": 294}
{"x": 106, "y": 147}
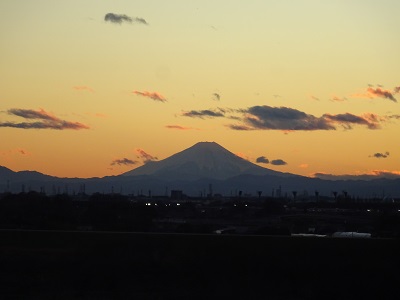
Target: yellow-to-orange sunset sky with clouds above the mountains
{"x": 306, "y": 86}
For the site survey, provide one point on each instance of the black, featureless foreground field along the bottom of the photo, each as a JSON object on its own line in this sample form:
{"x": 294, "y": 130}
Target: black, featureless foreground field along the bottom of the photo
{"x": 104, "y": 265}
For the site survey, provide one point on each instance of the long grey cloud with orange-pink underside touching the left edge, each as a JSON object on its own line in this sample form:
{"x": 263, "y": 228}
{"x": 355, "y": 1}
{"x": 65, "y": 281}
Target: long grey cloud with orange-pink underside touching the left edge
{"x": 44, "y": 119}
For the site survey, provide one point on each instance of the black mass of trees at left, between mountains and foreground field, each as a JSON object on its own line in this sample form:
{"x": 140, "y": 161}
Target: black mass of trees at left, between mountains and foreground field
{"x": 35, "y": 210}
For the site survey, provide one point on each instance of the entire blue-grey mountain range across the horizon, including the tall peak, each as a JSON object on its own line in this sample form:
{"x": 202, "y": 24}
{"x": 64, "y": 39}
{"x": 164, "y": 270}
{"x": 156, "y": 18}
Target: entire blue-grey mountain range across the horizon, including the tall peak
{"x": 196, "y": 170}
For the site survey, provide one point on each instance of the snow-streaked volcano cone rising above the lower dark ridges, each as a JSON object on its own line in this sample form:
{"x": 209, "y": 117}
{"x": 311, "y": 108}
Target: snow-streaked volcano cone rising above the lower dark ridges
{"x": 202, "y": 160}
